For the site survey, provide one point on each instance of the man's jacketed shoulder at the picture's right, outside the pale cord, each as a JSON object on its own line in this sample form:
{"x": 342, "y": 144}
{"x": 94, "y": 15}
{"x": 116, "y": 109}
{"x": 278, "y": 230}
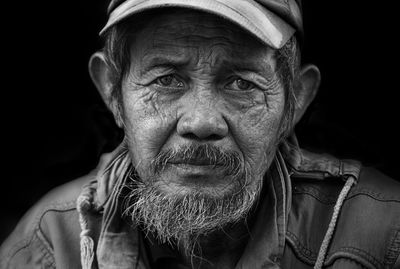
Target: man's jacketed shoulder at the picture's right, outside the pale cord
{"x": 369, "y": 225}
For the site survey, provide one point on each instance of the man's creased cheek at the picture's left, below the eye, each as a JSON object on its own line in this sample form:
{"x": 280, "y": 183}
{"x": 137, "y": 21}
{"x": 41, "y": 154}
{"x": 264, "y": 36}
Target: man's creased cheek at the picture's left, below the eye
{"x": 148, "y": 122}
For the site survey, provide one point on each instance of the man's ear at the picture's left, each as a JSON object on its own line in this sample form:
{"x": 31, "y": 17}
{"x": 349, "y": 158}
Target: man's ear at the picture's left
{"x": 101, "y": 77}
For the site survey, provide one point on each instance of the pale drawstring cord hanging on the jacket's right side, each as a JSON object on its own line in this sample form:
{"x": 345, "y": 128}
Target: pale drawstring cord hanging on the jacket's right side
{"x": 331, "y": 228}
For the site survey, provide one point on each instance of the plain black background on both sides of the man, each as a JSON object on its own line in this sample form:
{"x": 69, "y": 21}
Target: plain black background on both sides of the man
{"x": 56, "y": 126}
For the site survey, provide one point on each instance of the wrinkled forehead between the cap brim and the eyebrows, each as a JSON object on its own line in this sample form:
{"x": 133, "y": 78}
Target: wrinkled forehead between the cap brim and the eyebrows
{"x": 187, "y": 38}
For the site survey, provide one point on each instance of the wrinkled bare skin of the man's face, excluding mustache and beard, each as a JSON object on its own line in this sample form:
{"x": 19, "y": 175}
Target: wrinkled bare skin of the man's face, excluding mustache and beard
{"x": 197, "y": 79}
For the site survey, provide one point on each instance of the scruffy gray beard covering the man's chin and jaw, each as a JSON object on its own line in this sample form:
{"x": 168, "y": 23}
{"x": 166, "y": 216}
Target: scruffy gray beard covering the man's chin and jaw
{"x": 180, "y": 220}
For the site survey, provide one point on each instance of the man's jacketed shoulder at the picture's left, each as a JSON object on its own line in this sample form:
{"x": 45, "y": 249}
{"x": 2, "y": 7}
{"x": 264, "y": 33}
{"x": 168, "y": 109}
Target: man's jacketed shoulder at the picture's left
{"x": 51, "y": 222}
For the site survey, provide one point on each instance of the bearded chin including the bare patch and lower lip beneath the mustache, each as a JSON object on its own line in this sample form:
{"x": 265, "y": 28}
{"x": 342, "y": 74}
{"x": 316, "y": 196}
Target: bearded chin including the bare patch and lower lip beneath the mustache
{"x": 175, "y": 208}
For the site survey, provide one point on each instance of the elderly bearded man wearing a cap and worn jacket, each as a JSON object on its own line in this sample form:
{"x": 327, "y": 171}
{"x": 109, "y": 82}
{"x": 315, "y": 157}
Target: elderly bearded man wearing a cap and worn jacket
{"x": 209, "y": 174}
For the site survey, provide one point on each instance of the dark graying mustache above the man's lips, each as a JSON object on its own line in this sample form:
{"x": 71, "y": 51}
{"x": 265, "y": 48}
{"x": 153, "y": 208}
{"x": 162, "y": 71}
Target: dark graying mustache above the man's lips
{"x": 200, "y": 154}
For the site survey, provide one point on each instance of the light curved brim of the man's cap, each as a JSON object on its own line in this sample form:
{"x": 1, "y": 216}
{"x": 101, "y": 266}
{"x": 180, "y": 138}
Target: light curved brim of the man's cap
{"x": 248, "y": 14}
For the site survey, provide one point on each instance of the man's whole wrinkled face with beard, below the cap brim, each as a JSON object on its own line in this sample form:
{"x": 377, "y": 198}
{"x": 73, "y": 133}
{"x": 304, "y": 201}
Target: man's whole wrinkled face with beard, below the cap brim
{"x": 202, "y": 108}
